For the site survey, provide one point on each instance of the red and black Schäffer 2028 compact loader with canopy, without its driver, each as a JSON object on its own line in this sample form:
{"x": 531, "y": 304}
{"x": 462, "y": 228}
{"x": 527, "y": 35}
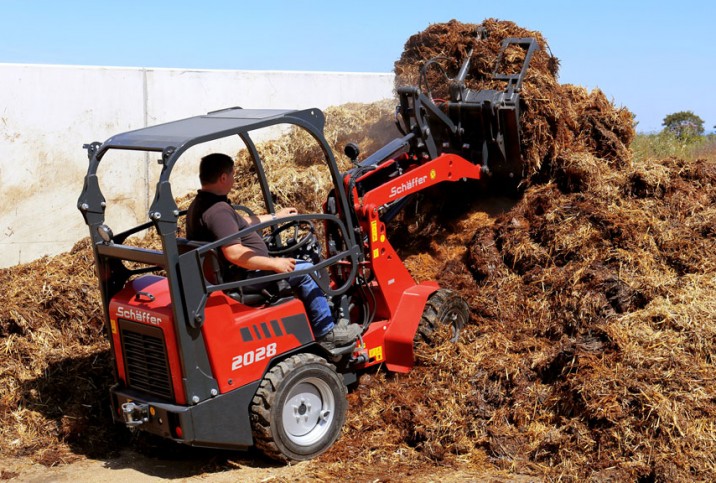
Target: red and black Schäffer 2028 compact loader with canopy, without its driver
{"x": 207, "y": 362}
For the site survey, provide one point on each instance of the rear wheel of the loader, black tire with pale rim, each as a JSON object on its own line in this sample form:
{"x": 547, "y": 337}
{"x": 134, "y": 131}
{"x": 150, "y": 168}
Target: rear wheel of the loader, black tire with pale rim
{"x": 299, "y": 409}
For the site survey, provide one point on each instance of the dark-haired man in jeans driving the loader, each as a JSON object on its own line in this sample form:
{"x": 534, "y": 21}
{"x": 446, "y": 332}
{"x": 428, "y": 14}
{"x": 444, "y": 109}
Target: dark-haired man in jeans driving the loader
{"x": 211, "y": 217}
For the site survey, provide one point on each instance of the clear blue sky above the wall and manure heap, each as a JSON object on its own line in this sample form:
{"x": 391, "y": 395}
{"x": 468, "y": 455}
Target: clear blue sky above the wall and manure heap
{"x": 653, "y": 57}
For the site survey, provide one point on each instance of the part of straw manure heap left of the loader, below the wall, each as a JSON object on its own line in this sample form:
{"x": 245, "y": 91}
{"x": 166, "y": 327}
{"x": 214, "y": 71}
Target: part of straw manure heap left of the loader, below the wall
{"x": 56, "y": 370}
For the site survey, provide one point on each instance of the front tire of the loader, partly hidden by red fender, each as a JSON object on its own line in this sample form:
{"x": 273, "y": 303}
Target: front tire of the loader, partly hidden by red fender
{"x": 444, "y": 316}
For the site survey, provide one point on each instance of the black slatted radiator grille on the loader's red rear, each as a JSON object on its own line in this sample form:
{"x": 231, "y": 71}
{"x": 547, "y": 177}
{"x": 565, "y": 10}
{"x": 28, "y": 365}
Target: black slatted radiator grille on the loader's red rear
{"x": 145, "y": 359}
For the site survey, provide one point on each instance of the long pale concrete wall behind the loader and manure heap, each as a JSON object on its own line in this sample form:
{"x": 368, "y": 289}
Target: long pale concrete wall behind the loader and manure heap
{"x": 48, "y": 112}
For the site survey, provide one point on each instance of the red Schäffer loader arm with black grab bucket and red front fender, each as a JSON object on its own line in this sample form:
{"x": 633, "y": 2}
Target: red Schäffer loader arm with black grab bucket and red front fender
{"x": 472, "y": 136}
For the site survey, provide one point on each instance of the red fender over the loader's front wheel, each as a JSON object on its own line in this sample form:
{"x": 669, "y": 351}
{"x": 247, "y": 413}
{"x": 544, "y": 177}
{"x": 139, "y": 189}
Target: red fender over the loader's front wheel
{"x": 398, "y": 342}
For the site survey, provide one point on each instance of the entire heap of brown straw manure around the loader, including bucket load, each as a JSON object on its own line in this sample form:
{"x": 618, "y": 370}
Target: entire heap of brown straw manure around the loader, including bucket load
{"x": 593, "y": 298}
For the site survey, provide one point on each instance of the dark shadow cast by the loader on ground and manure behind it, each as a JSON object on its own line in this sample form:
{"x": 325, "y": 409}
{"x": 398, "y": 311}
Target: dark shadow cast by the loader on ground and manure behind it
{"x": 72, "y": 396}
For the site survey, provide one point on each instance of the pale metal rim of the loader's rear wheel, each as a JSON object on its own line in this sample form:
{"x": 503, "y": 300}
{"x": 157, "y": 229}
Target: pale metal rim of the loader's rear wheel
{"x": 308, "y": 411}
